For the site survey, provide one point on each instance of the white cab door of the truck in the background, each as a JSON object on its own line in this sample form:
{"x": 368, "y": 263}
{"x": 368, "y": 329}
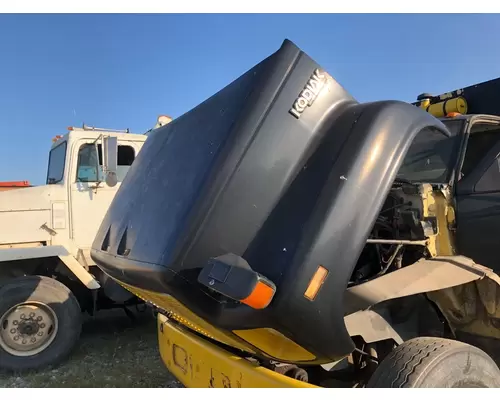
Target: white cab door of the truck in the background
{"x": 90, "y": 195}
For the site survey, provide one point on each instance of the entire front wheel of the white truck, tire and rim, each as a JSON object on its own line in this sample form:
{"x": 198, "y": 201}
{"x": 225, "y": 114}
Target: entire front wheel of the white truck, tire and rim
{"x": 40, "y": 323}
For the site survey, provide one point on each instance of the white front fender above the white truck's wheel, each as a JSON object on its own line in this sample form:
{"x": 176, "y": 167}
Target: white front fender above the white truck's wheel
{"x": 26, "y": 253}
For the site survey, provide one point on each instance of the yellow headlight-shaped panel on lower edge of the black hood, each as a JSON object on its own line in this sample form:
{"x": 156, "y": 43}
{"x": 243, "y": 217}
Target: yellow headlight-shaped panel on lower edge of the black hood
{"x": 275, "y": 344}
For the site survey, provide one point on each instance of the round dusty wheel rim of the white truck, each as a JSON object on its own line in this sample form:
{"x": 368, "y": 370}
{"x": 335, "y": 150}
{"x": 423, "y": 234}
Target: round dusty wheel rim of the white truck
{"x": 27, "y": 329}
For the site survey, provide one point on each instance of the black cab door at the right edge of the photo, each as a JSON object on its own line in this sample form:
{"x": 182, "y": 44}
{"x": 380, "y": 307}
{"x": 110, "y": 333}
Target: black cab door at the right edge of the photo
{"x": 477, "y": 196}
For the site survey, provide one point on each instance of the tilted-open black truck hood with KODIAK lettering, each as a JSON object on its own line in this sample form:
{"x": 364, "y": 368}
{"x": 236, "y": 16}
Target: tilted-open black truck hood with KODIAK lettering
{"x": 283, "y": 168}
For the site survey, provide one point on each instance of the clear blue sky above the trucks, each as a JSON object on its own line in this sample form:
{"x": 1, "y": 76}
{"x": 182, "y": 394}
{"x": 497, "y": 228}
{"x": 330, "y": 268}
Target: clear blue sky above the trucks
{"x": 120, "y": 71}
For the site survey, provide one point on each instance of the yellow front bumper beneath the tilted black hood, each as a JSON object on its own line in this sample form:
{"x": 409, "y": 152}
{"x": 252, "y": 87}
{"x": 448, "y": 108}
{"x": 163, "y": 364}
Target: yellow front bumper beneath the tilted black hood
{"x": 197, "y": 363}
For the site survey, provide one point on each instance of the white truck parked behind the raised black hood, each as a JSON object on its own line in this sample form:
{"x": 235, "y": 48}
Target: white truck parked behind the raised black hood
{"x": 47, "y": 277}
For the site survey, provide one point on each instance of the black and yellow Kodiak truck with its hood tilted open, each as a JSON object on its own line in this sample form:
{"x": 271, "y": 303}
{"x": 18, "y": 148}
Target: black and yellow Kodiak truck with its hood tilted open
{"x": 291, "y": 236}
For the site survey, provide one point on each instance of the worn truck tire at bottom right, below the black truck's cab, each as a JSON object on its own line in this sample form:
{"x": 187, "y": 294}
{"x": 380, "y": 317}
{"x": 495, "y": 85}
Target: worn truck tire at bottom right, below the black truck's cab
{"x": 436, "y": 363}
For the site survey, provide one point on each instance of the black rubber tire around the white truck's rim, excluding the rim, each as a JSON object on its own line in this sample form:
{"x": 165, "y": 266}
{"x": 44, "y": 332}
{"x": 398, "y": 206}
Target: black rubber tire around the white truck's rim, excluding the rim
{"x": 65, "y": 306}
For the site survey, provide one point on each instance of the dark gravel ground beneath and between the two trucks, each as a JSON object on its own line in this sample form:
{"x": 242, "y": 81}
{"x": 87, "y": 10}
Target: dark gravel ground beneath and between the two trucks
{"x": 113, "y": 352}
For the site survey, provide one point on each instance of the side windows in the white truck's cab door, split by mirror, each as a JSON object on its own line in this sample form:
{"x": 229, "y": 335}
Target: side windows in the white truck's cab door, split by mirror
{"x": 90, "y": 162}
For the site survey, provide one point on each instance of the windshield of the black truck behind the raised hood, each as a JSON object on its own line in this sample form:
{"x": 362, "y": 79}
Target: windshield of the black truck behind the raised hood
{"x": 431, "y": 156}
